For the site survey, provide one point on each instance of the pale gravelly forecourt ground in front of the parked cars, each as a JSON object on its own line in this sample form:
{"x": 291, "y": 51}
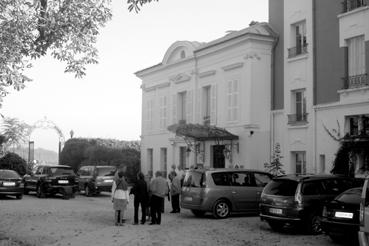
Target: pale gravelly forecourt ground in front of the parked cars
{"x": 89, "y": 221}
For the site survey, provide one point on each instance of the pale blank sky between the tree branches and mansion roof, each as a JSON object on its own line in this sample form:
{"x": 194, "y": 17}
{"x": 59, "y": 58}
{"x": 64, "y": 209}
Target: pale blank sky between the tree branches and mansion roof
{"x": 106, "y": 103}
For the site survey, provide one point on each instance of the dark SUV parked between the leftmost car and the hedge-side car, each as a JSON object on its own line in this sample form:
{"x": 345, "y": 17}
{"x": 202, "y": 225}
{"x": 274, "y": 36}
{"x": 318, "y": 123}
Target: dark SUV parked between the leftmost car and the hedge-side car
{"x": 50, "y": 180}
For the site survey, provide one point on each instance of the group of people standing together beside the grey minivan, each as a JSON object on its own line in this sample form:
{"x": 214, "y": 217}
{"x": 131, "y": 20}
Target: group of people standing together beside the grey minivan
{"x": 148, "y": 194}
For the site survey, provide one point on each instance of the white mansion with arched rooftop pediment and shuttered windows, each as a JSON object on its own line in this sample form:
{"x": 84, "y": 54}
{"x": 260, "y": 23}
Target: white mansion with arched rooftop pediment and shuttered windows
{"x": 223, "y": 84}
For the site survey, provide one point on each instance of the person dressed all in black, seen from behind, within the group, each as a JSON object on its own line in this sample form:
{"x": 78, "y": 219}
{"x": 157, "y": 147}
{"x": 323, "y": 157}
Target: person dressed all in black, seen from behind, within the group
{"x": 139, "y": 190}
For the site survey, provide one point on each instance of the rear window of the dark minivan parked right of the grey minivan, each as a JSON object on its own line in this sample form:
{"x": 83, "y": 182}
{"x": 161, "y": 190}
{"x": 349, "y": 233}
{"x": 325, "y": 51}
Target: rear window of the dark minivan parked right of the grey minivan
{"x": 281, "y": 187}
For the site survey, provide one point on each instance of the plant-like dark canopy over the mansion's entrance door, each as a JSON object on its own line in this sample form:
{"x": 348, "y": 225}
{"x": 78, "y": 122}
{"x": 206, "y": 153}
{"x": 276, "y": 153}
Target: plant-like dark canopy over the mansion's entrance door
{"x": 201, "y": 132}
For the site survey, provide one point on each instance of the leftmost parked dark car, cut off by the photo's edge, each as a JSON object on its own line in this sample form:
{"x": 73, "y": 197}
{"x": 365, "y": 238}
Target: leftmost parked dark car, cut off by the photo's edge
{"x": 10, "y": 183}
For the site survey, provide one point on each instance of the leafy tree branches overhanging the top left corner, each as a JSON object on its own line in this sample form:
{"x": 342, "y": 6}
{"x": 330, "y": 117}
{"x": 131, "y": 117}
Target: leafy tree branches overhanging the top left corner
{"x": 29, "y": 29}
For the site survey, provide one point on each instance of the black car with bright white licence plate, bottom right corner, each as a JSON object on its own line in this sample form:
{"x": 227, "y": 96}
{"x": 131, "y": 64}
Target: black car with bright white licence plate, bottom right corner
{"x": 340, "y": 217}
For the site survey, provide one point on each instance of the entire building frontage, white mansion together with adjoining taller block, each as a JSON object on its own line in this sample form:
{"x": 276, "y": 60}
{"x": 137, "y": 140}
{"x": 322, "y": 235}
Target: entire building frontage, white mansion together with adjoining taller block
{"x": 300, "y": 81}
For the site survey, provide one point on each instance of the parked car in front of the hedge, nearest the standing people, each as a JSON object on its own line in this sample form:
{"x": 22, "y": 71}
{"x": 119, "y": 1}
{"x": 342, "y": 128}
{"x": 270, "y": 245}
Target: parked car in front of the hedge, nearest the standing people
{"x": 95, "y": 179}
